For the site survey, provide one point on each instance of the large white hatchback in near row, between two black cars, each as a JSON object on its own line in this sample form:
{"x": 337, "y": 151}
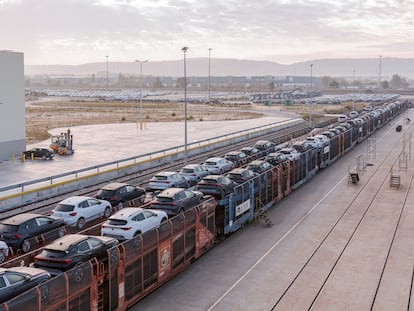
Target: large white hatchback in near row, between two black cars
{"x": 131, "y": 221}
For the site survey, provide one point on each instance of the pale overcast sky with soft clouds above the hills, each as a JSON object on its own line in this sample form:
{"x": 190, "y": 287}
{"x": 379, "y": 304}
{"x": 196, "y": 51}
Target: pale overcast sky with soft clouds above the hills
{"x": 285, "y": 31}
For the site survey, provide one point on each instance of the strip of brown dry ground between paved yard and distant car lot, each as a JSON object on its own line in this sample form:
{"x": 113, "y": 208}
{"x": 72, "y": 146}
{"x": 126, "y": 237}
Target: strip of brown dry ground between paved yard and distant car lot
{"x": 48, "y": 113}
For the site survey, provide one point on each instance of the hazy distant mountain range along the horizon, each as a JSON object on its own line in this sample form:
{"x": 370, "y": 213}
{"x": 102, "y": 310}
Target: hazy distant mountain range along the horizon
{"x": 338, "y": 67}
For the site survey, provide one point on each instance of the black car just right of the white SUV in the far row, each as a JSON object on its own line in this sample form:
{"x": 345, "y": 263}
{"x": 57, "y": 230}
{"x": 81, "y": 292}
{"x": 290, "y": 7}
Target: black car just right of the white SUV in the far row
{"x": 119, "y": 193}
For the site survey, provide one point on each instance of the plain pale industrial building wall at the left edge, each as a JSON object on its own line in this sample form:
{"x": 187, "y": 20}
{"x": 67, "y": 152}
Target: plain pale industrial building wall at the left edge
{"x": 12, "y": 105}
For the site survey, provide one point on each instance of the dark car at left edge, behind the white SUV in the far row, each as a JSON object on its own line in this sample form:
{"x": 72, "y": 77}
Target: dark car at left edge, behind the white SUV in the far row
{"x": 18, "y": 231}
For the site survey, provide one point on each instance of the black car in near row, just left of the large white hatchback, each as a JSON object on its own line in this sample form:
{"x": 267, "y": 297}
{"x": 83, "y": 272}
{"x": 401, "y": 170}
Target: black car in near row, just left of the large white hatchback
{"x": 72, "y": 249}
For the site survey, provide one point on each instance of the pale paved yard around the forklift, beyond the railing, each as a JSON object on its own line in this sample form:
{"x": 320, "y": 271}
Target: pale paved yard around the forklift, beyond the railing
{"x": 97, "y": 144}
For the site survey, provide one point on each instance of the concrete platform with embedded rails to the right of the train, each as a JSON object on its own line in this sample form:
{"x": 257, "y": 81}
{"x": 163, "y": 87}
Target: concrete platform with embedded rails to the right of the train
{"x": 334, "y": 246}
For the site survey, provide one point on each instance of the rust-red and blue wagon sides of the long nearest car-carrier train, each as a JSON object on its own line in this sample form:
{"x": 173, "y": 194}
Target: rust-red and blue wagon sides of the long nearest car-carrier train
{"x": 133, "y": 269}
